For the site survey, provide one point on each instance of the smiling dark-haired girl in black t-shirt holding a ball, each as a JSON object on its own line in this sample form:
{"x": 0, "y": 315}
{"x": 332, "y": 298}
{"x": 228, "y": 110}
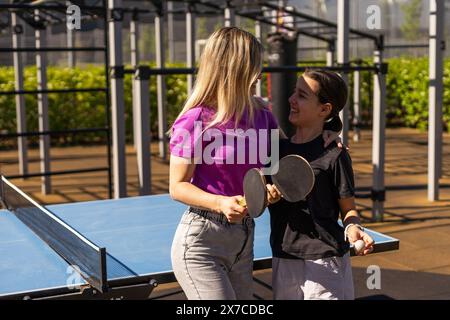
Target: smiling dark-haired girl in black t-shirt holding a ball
{"x": 310, "y": 248}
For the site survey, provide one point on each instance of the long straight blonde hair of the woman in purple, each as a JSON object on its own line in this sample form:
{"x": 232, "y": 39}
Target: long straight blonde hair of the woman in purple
{"x": 230, "y": 63}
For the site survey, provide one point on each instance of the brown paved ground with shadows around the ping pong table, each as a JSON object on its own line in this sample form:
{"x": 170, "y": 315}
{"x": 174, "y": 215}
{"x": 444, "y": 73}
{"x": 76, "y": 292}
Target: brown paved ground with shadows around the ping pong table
{"x": 419, "y": 270}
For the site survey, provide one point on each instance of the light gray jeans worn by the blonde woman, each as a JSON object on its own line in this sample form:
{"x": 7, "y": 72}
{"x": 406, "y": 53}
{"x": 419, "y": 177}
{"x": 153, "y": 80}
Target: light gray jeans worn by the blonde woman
{"x": 213, "y": 259}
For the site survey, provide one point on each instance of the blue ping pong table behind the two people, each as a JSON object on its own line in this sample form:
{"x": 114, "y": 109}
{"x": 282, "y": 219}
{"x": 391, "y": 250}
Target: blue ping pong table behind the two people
{"x": 137, "y": 233}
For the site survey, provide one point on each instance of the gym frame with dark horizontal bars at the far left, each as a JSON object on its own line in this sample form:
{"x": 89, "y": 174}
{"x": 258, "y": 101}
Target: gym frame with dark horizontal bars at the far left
{"x": 37, "y": 16}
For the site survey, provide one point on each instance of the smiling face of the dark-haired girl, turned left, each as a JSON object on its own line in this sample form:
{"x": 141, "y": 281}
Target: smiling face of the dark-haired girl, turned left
{"x": 306, "y": 109}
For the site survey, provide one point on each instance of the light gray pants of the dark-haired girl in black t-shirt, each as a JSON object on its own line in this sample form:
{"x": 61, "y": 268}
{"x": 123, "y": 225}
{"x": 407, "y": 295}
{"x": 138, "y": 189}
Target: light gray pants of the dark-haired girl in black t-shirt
{"x": 322, "y": 279}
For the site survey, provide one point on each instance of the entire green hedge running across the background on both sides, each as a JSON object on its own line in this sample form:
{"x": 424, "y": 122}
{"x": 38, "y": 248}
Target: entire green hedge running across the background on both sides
{"x": 407, "y": 88}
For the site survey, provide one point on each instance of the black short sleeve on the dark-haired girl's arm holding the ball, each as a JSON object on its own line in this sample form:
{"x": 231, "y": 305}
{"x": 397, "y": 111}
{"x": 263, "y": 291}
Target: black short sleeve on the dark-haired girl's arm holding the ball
{"x": 343, "y": 176}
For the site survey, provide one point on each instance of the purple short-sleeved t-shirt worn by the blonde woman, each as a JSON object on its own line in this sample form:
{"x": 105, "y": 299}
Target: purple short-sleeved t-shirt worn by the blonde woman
{"x": 223, "y": 154}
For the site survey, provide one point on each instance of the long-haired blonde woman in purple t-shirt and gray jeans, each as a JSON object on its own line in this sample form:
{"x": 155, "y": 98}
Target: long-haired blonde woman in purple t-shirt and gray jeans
{"x": 212, "y": 250}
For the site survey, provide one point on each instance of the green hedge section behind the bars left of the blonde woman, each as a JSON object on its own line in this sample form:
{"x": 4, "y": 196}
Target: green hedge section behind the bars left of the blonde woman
{"x": 80, "y": 110}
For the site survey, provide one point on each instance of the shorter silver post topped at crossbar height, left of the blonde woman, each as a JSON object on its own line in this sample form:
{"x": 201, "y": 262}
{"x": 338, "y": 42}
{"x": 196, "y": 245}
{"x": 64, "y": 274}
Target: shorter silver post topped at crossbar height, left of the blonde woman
{"x": 141, "y": 80}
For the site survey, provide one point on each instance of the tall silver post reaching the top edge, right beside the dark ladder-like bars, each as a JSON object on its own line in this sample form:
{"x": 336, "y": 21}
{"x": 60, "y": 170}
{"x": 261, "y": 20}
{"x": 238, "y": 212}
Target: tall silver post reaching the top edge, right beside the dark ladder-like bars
{"x": 117, "y": 99}
